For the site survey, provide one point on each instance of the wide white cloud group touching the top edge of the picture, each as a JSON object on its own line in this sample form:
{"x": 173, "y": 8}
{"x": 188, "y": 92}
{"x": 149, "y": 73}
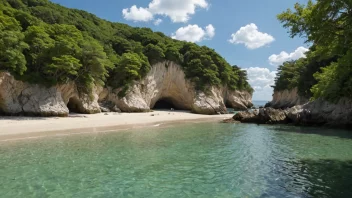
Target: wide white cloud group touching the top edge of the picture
{"x": 177, "y": 10}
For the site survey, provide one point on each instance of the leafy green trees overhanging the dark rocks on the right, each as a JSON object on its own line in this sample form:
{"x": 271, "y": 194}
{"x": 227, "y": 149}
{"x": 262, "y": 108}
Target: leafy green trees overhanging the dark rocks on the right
{"x": 326, "y": 72}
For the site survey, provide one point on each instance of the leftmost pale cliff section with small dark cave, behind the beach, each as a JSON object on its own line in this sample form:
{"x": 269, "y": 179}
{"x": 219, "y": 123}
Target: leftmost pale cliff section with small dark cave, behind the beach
{"x": 19, "y": 98}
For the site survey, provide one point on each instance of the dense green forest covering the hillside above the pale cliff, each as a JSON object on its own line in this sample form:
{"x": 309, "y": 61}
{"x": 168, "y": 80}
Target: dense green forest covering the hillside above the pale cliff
{"x": 42, "y": 42}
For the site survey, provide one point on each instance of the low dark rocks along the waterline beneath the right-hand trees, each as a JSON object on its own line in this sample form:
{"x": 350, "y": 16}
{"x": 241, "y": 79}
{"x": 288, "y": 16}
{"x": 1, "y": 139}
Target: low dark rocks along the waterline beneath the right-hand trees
{"x": 319, "y": 112}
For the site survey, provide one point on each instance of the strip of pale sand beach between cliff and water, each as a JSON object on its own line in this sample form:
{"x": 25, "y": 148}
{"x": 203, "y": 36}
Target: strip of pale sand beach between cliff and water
{"x": 11, "y": 127}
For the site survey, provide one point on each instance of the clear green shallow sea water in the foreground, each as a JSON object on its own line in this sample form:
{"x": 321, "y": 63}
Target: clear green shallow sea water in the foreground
{"x": 192, "y": 160}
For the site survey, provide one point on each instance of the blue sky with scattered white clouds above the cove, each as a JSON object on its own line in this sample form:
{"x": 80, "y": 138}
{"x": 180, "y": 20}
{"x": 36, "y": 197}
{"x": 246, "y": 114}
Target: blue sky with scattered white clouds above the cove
{"x": 246, "y": 33}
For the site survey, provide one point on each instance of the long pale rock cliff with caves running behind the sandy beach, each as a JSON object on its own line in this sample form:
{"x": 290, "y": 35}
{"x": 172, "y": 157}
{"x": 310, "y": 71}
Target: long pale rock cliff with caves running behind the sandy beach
{"x": 166, "y": 80}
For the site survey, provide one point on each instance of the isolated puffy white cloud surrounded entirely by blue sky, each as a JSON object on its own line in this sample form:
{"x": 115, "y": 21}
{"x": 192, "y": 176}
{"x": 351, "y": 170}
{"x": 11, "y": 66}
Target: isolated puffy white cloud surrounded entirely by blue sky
{"x": 251, "y": 37}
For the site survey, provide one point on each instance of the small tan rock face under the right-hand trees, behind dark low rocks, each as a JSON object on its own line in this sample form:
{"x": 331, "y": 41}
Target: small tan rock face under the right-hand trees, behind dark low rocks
{"x": 286, "y": 99}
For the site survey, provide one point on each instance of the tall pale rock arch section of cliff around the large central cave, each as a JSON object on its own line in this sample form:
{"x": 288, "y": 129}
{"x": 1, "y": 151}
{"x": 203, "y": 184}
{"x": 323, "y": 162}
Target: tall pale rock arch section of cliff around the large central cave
{"x": 167, "y": 81}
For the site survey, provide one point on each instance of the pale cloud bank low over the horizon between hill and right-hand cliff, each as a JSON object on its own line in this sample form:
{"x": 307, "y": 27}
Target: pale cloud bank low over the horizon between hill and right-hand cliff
{"x": 261, "y": 79}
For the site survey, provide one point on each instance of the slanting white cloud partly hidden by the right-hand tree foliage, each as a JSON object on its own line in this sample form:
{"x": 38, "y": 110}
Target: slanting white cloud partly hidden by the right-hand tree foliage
{"x": 278, "y": 59}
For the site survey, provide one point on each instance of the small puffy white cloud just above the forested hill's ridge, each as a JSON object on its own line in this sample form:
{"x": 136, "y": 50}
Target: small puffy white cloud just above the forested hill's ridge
{"x": 194, "y": 33}
